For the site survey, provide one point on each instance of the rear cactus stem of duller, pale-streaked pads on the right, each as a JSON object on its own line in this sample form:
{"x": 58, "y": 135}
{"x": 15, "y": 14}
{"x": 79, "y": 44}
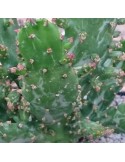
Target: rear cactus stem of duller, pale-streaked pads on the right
{"x": 100, "y": 65}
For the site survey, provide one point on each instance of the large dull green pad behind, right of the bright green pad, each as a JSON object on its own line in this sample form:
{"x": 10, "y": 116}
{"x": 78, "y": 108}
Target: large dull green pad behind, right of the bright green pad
{"x": 89, "y": 39}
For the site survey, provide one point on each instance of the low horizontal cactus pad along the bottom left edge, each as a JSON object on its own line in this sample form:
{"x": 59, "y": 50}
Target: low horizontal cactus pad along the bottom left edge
{"x": 28, "y": 133}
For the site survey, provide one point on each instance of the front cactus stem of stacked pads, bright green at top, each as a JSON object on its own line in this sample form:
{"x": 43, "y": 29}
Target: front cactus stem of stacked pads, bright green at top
{"x": 51, "y": 85}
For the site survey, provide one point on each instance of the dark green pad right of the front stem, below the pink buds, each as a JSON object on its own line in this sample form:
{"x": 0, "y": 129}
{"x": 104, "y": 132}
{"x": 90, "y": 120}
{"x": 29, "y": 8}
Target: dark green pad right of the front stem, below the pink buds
{"x": 99, "y": 91}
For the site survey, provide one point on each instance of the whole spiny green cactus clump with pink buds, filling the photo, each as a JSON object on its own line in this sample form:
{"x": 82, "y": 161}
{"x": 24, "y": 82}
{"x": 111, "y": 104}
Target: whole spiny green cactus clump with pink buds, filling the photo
{"x": 59, "y": 88}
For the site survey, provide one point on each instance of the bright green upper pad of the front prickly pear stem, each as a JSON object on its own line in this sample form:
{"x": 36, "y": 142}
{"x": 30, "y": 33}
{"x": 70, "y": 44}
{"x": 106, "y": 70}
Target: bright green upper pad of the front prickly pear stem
{"x": 40, "y": 45}
